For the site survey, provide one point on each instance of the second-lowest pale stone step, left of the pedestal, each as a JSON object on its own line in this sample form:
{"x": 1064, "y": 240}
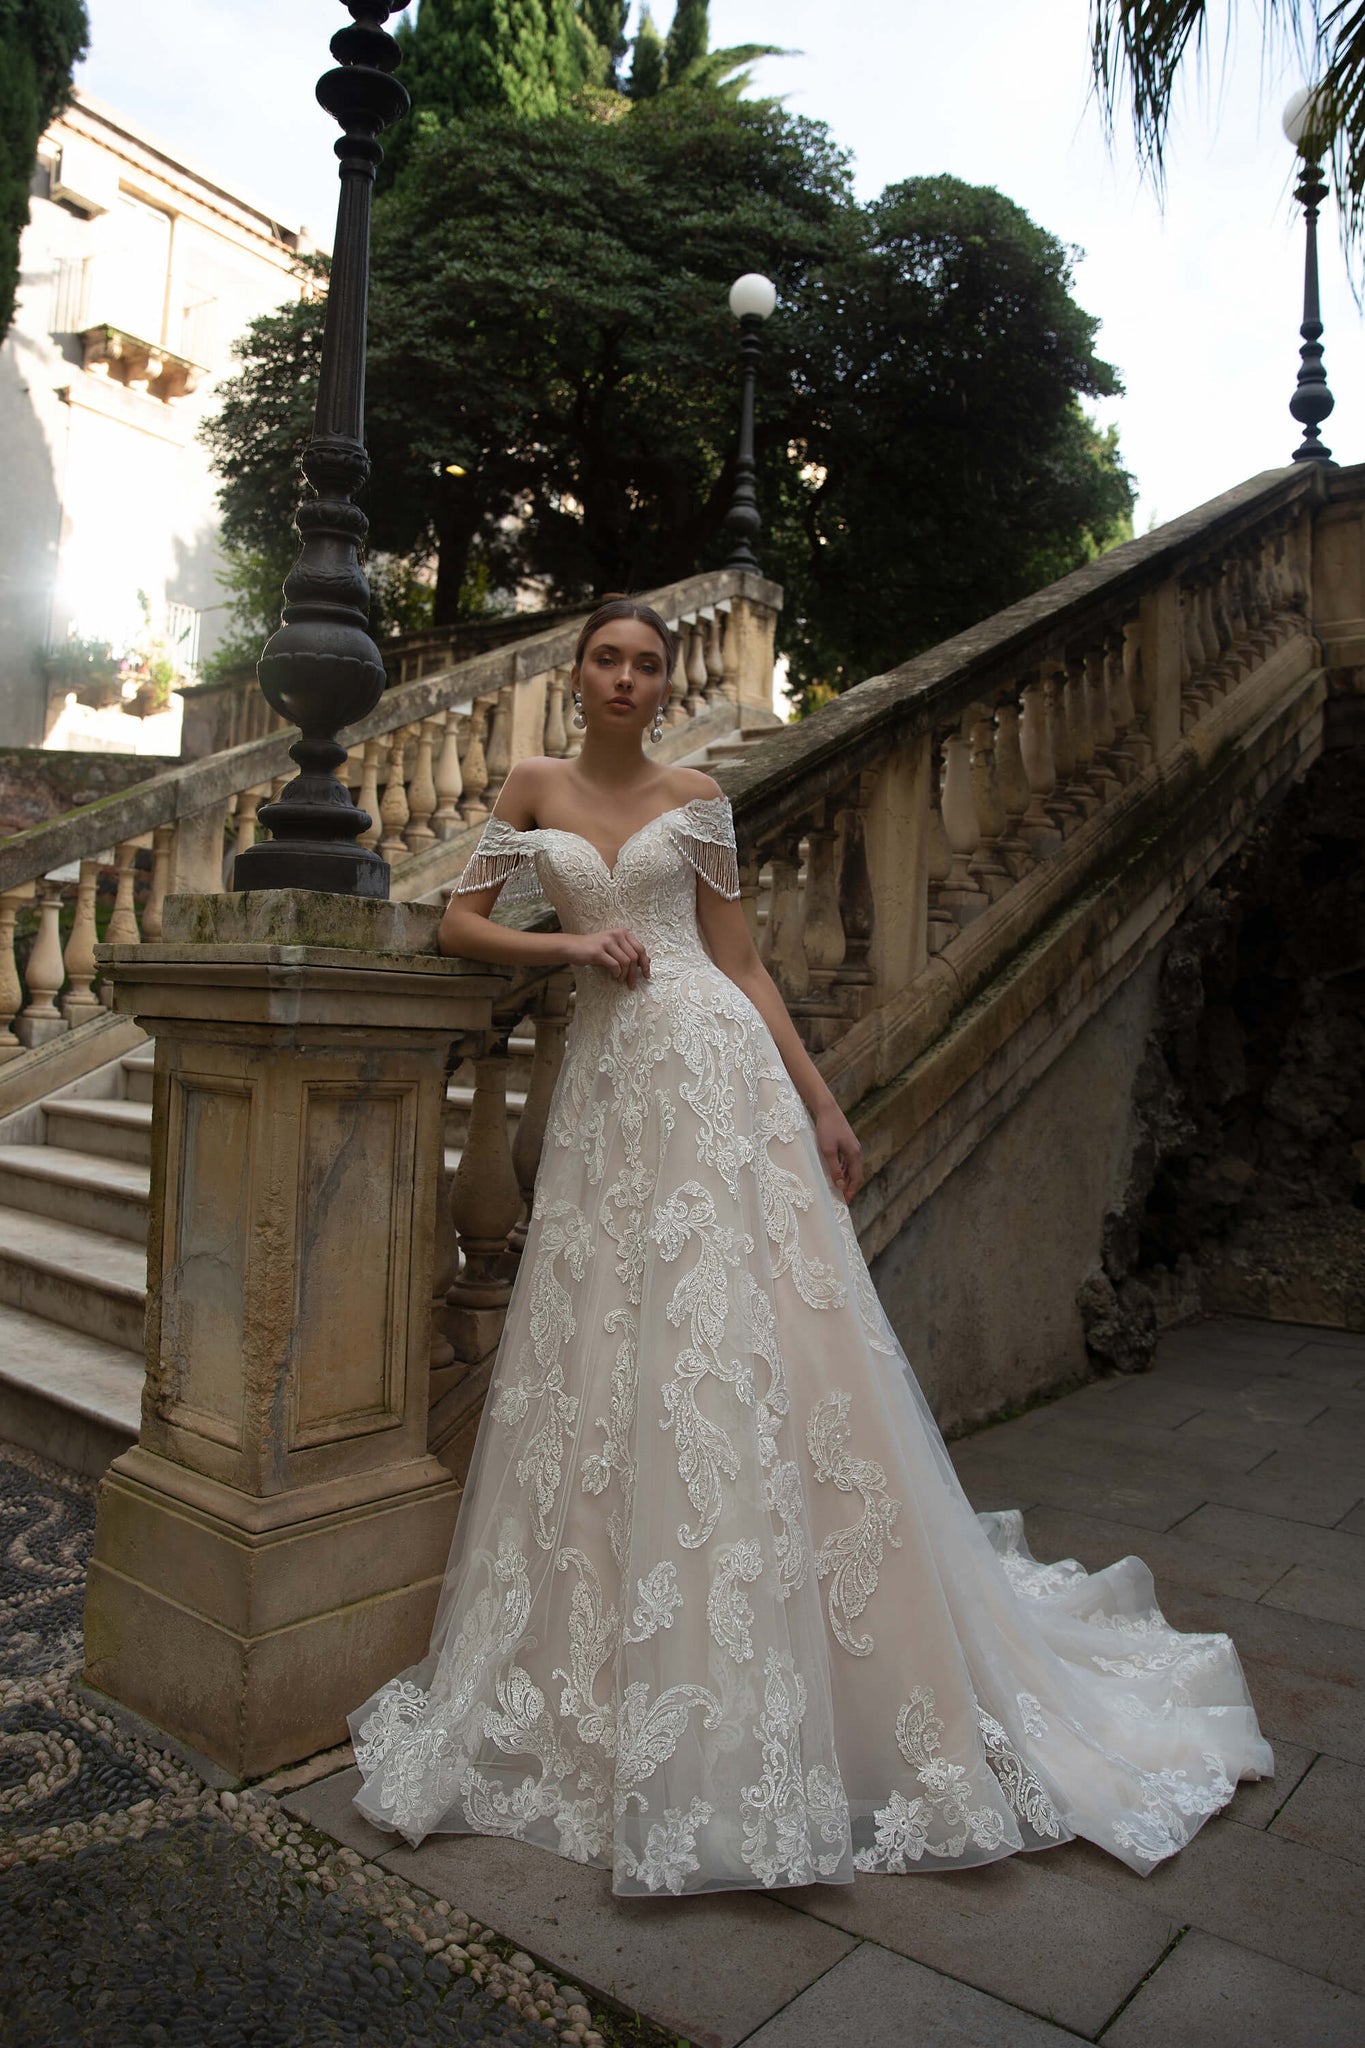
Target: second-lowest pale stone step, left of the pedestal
{"x": 81, "y": 1279}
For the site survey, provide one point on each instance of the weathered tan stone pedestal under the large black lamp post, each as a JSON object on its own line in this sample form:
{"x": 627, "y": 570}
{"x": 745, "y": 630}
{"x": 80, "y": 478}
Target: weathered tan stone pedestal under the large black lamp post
{"x": 273, "y": 1545}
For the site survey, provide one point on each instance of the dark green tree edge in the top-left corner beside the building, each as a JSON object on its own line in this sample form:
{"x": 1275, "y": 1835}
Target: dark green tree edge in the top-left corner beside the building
{"x": 40, "y": 46}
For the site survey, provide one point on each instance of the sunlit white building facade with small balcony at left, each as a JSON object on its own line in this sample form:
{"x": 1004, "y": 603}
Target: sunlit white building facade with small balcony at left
{"x": 138, "y": 273}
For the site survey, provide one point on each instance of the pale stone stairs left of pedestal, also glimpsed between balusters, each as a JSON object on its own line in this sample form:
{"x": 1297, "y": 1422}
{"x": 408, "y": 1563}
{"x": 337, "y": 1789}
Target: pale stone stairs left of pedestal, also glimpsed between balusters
{"x": 75, "y": 1185}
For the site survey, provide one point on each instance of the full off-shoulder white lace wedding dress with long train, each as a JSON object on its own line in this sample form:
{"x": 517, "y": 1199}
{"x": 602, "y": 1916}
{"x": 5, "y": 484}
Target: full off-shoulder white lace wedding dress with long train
{"x": 717, "y": 1611}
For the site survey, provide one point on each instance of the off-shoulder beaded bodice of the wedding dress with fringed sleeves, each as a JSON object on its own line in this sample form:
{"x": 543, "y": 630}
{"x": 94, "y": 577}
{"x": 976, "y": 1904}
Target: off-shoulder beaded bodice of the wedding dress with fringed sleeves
{"x": 652, "y": 886}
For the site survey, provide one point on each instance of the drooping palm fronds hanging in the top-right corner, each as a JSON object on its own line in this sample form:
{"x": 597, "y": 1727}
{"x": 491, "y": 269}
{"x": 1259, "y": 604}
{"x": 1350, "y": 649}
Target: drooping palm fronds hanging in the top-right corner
{"x": 1141, "y": 48}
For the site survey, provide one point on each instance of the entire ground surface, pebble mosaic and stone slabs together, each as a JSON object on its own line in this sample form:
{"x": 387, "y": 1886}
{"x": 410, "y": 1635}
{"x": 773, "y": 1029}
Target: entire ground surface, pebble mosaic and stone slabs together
{"x": 1237, "y": 1469}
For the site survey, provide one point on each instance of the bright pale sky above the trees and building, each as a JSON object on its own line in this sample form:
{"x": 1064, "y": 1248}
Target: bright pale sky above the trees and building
{"x": 1200, "y": 300}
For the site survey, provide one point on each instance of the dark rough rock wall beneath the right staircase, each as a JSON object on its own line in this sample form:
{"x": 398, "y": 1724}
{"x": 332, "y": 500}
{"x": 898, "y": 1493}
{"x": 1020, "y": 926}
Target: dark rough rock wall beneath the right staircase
{"x": 1247, "y": 1183}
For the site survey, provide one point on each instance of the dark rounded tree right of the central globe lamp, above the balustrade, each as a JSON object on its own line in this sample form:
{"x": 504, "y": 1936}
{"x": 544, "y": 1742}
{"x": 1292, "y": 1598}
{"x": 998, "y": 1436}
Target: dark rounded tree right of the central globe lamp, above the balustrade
{"x": 946, "y": 468}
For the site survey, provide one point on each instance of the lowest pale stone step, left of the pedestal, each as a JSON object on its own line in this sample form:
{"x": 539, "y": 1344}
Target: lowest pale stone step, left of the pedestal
{"x": 67, "y": 1396}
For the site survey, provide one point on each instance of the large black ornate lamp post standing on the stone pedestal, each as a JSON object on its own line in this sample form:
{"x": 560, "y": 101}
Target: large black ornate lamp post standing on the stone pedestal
{"x": 322, "y": 671}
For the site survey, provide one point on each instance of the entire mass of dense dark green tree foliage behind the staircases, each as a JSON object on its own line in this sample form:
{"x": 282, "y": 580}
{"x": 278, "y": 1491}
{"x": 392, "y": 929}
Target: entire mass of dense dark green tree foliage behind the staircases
{"x": 549, "y": 318}
